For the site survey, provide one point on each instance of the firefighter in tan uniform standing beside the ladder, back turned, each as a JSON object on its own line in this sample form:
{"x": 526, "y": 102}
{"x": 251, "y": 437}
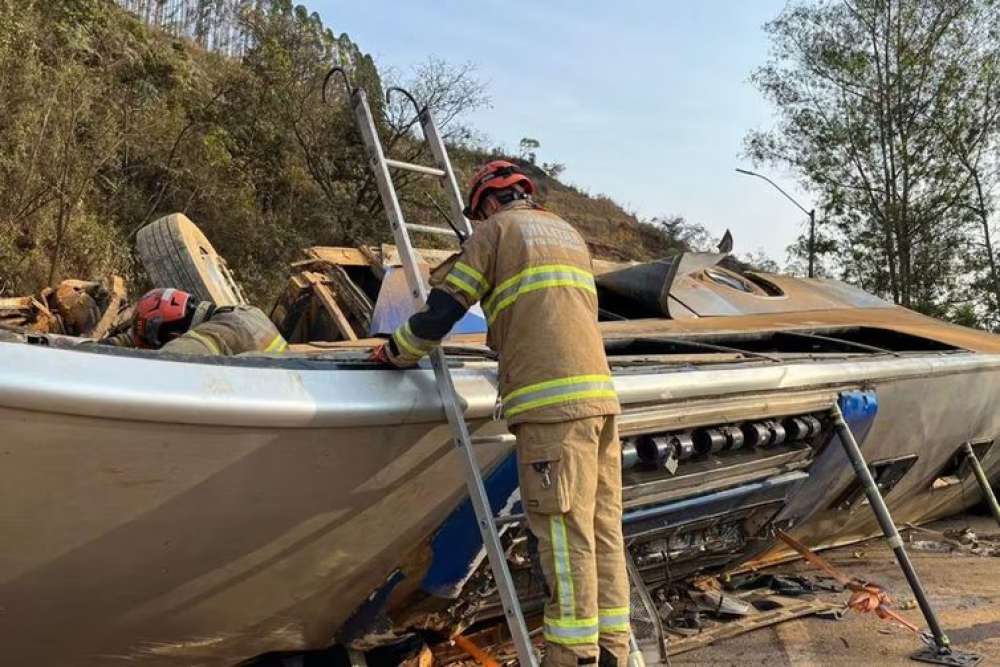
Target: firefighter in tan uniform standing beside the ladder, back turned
{"x": 532, "y": 273}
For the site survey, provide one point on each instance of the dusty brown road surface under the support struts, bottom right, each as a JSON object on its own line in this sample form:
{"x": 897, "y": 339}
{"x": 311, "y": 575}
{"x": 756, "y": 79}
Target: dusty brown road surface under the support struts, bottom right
{"x": 964, "y": 590}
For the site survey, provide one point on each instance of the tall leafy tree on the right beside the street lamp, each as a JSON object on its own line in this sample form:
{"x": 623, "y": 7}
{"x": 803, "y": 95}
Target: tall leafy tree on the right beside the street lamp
{"x": 863, "y": 90}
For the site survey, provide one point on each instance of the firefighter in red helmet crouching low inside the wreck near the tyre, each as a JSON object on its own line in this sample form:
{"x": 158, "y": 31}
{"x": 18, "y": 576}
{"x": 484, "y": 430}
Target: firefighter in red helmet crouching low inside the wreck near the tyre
{"x": 171, "y": 320}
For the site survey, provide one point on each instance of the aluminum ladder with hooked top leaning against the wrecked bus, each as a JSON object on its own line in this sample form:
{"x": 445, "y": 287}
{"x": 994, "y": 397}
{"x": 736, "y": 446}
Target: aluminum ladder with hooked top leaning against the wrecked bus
{"x": 380, "y": 166}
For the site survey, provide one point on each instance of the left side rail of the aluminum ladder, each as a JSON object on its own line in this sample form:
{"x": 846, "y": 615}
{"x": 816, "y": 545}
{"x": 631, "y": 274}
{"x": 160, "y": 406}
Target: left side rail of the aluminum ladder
{"x": 446, "y": 387}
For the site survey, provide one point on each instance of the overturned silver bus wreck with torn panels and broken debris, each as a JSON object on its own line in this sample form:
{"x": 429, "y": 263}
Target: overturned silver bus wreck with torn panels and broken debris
{"x": 205, "y": 510}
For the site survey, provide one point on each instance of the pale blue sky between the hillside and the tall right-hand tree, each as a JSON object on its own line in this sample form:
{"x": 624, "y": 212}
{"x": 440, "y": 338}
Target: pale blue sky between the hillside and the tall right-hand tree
{"x": 646, "y": 102}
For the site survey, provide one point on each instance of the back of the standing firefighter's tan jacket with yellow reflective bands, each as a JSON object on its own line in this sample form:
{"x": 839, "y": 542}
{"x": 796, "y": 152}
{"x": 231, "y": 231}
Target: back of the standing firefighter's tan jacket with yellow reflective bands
{"x": 542, "y": 315}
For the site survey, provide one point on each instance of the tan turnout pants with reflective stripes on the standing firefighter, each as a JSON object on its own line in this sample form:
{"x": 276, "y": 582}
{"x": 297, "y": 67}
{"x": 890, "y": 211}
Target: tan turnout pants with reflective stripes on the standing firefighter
{"x": 571, "y": 489}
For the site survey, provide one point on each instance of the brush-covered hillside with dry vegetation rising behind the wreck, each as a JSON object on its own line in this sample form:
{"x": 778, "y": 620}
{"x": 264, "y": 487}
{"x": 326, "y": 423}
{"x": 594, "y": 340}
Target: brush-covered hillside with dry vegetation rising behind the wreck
{"x": 108, "y": 123}
